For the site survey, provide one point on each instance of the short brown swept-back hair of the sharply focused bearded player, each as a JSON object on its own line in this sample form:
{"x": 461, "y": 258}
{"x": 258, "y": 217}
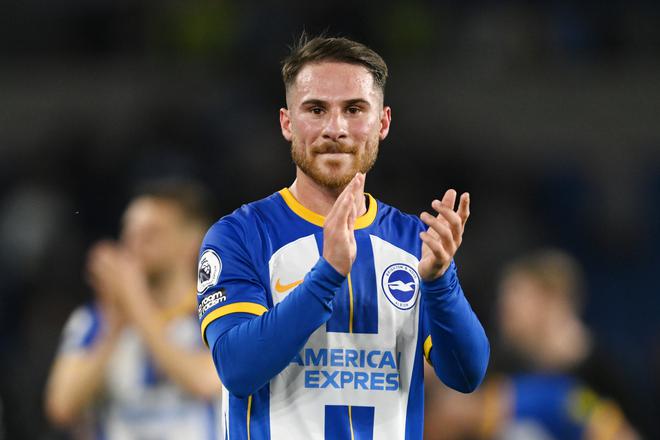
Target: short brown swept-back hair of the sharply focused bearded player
{"x": 340, "y": 49}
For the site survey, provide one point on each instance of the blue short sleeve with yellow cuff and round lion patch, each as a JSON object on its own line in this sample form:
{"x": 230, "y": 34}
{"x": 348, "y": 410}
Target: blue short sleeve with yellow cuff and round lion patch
{"x": 227, "y": 278}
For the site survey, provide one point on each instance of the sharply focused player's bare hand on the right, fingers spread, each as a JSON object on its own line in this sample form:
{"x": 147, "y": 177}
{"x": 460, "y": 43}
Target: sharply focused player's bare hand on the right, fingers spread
{"x": 444, "y": 236}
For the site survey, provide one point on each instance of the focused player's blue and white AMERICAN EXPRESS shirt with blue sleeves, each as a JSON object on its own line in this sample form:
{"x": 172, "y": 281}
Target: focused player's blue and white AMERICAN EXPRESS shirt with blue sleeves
{"x": 350, "y": 368}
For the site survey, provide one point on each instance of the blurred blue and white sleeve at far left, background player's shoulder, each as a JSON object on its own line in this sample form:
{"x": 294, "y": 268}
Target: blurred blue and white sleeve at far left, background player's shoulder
{"x": 81, "y": 330}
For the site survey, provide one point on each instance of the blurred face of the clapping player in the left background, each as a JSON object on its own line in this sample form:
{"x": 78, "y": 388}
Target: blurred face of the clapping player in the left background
{"x": 153, "y": 232}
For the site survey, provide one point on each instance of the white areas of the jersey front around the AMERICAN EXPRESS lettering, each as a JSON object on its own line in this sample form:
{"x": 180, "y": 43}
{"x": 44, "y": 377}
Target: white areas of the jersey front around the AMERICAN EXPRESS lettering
{"x": 297, "y": 412}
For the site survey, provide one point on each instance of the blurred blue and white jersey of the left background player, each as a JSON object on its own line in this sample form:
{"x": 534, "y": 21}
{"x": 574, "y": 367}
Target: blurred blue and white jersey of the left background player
{"x": 137, "y": 400}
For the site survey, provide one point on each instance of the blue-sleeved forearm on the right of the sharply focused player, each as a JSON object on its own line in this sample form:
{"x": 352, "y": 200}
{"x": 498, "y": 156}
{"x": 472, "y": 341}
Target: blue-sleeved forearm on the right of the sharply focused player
{"x": 460, "y": 347}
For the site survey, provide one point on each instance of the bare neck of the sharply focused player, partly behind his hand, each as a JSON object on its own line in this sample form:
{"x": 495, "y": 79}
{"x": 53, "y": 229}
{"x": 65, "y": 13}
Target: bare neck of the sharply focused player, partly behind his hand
{"x": 319, "y": 198}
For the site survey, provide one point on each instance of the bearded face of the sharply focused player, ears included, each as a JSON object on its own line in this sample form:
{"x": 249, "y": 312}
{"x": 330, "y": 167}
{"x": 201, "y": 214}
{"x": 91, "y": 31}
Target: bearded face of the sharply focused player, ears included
{"x": 334, "y": 121}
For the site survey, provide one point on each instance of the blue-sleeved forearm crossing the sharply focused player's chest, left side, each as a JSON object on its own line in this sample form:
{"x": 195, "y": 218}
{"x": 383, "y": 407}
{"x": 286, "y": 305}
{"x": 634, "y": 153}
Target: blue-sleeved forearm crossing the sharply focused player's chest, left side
{"x": 250, "y": 351}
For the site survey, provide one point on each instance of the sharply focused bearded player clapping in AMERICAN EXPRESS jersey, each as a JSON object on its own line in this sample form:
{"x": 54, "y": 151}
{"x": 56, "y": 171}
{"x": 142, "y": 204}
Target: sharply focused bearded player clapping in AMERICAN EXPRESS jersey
{"x": 320, "y": 303}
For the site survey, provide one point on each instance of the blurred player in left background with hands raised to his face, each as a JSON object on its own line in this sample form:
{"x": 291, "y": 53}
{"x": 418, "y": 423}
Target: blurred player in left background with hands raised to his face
{"x": 132, "y": 364}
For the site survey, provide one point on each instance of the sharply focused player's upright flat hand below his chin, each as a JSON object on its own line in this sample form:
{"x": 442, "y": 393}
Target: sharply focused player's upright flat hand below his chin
{"x": 339, "y": 246}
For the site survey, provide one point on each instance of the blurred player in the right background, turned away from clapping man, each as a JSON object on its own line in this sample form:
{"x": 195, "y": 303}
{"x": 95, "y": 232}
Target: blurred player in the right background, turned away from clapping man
{"x": 554, "y": 382}
